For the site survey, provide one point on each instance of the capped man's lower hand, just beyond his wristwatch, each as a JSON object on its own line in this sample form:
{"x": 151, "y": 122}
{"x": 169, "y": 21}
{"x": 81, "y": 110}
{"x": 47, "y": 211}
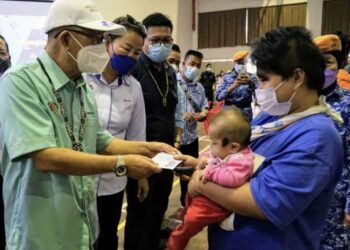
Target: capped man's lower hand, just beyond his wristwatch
{"x": 140, "y": 166}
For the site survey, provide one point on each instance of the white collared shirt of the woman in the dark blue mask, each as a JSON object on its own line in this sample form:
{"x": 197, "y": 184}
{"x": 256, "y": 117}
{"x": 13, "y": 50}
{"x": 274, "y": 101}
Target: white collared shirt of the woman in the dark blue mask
{"x": 122, "y": 112}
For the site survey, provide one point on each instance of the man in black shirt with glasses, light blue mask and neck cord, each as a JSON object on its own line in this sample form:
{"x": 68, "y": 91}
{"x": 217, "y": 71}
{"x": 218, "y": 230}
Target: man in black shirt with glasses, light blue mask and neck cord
{"x": 158, "y": 81}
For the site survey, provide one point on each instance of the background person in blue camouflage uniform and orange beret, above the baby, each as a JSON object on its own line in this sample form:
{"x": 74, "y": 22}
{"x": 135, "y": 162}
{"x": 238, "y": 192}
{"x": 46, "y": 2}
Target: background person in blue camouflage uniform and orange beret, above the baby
{"x": 238, "y": 86}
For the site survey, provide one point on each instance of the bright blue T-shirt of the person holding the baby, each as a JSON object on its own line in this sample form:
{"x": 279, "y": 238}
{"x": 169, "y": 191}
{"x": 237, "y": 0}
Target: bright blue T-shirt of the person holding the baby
{"x": 293, "y": 188}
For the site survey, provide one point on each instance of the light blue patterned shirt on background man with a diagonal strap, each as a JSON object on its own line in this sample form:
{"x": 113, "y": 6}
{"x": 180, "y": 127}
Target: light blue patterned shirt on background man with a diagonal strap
{"x": 197, "y": 93}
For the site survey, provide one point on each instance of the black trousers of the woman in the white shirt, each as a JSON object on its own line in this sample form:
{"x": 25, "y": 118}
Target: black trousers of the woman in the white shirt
{"x": 109, "y": 210}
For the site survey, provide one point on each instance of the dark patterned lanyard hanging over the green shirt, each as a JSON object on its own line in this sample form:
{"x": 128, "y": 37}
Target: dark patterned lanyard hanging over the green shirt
{"x": 77, "y": 145}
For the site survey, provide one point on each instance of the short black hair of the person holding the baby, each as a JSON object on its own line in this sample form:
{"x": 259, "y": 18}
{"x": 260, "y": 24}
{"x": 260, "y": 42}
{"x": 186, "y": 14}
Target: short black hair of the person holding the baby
{"x": 284, "y": 49}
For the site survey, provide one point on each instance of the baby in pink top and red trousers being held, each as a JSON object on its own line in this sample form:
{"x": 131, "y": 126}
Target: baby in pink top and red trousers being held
{"x": 230, "y": 164}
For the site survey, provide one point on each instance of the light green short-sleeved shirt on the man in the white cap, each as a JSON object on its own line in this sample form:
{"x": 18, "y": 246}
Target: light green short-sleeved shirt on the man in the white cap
{"x": 46, "y": 211}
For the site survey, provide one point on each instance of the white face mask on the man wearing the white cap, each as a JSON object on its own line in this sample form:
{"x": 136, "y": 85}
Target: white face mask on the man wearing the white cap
{"x": 91, "y": 58}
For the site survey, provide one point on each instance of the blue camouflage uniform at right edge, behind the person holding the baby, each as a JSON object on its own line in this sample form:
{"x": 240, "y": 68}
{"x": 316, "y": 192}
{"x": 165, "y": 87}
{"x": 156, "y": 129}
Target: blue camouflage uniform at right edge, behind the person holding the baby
{"x": 334, "y": 235}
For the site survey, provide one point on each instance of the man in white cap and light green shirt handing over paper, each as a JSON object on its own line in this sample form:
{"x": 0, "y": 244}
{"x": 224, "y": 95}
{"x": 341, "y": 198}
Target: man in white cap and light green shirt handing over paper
{"x": 51, "y": 133}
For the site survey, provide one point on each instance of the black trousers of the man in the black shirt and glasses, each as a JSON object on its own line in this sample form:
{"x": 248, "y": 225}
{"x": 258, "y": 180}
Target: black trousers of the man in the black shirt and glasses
{"x": 143, "y": 221}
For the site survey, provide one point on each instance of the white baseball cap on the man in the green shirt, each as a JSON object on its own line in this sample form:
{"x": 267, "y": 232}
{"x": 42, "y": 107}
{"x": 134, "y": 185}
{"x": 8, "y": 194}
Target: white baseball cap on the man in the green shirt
{"x": 81, "y": 13}
